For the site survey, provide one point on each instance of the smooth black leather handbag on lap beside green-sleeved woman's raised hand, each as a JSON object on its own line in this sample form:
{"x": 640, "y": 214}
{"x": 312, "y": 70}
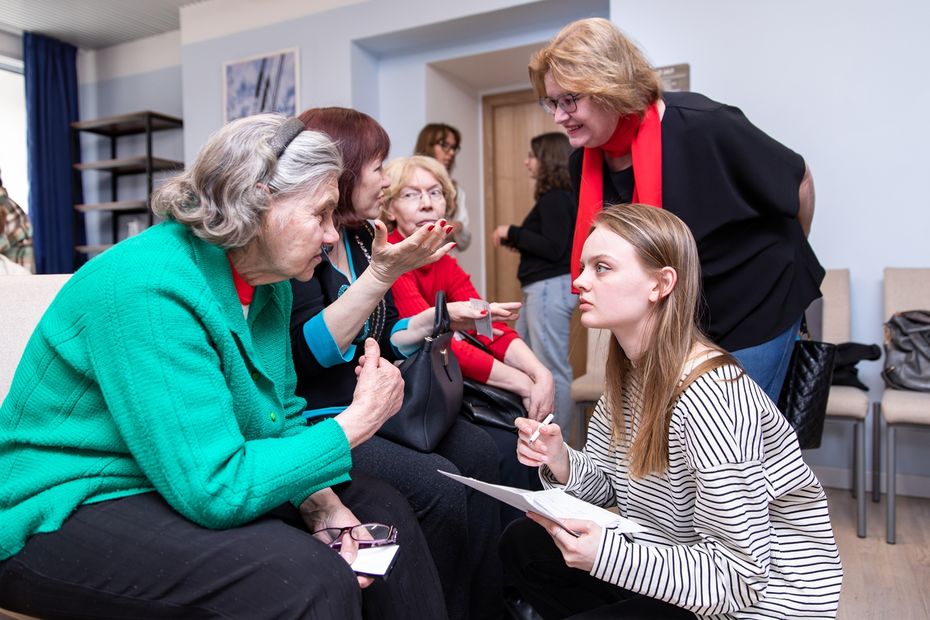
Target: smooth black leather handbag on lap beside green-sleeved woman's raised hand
{"x": 432, "y": 389}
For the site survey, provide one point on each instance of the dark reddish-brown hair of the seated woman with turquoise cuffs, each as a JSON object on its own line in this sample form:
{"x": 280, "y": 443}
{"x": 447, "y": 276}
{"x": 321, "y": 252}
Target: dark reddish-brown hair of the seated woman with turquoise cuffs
{"x": 361, "y": 139}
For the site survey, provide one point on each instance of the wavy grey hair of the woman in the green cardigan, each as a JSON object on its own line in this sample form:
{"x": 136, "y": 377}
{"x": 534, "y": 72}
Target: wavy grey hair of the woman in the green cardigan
{"x": 224, "y": 194}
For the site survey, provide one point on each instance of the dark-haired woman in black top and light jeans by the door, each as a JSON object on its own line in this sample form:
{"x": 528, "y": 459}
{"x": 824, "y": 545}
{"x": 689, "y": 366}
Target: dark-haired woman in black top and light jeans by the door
{"x": 544, "y": 243}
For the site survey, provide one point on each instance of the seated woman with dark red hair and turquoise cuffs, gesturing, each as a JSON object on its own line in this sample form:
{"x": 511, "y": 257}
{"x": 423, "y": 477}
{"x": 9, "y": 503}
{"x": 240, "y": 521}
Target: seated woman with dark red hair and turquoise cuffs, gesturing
{"x": 348, "y": 301}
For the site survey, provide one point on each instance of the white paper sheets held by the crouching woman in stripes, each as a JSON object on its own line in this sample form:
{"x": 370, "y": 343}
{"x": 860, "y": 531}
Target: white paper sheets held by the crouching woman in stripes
{"x": 554, "y": 504}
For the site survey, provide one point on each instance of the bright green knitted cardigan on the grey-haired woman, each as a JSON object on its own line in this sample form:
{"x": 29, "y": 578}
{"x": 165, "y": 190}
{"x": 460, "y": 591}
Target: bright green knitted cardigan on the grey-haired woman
{"x": 143, "y": 375}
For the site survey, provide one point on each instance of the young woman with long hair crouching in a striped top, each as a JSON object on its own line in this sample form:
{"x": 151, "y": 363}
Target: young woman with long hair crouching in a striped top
{"x": 685, "y": 444}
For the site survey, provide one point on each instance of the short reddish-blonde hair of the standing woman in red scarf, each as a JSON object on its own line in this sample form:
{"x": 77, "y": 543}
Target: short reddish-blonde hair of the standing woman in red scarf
{"x": 592, "y": 57}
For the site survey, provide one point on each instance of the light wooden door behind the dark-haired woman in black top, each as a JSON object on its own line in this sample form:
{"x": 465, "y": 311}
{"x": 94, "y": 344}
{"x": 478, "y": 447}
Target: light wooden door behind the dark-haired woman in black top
{"x": 510, "y": 122}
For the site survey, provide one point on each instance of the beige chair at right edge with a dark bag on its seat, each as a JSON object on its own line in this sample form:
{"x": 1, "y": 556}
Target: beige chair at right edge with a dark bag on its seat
{"x": 905, "y": 289}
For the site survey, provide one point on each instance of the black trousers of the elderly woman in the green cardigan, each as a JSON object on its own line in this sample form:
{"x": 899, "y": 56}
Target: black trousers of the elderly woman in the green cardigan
{"x": 136, "y": 557}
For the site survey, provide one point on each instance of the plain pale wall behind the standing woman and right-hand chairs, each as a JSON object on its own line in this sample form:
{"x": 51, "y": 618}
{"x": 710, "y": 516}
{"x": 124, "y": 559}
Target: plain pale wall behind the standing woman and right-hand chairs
{"x": 841, "y": 82}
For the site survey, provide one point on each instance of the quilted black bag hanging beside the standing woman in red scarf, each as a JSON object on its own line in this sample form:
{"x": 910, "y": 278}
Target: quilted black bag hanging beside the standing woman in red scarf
{"x": 804, "y": 395}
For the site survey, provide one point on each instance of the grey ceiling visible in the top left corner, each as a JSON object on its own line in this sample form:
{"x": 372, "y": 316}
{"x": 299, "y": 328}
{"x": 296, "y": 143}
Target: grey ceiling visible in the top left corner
{"x": 92, "y": 24}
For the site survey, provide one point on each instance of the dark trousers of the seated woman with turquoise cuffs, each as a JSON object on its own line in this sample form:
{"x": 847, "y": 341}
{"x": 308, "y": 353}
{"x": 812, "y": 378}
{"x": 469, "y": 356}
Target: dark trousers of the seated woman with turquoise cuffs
{"x": 461, "y": 525}
